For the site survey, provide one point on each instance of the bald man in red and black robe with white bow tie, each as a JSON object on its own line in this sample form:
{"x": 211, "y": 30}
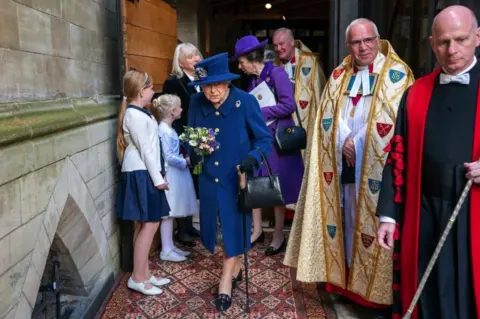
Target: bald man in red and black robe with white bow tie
{"x": 434, "y": 151}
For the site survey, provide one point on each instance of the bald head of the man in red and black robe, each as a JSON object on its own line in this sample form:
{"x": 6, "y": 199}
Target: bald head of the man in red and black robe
{"x": 455, "y": 35}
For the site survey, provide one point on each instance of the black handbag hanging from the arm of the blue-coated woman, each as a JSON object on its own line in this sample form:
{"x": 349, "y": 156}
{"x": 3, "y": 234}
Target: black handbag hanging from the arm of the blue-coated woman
{"x": 262, "y": 191}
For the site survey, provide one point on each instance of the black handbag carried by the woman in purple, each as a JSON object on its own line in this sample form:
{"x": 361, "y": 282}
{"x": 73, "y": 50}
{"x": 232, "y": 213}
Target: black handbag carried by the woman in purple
{"x": 291, "y": 138}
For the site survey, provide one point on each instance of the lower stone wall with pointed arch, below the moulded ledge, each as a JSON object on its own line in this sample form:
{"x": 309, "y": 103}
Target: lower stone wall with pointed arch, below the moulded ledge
{"x": 59, "y": 186}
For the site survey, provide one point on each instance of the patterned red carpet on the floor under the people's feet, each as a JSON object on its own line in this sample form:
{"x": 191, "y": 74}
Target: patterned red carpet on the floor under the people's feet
{"x": 273, "y": 292}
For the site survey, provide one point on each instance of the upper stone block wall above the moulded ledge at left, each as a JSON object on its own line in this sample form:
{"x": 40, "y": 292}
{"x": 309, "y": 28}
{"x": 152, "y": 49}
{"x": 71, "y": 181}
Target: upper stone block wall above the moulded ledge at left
{"x": 57, "y": 48}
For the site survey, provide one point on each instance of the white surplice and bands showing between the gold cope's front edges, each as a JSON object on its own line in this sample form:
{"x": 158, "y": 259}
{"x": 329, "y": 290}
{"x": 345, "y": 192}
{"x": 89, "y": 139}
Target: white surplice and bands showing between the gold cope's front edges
{"x": 353, "y": 126}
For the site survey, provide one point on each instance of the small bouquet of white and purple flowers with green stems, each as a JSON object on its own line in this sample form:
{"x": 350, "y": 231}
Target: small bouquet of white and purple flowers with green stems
{"x": 203, "y": 142}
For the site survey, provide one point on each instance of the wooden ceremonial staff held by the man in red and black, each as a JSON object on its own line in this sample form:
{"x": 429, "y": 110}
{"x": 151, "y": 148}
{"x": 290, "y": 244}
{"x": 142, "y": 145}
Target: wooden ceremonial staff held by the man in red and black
{"x": 434, "y": 258}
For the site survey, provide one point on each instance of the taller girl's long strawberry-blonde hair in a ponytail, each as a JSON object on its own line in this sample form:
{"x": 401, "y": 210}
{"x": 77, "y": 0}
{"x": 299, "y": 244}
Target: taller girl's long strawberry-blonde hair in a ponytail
{"x": 133, "y": 82}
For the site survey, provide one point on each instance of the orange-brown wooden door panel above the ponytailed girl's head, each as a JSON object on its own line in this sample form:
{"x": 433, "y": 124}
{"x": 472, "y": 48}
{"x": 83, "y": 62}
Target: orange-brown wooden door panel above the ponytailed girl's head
{"x": 150, "y": 37}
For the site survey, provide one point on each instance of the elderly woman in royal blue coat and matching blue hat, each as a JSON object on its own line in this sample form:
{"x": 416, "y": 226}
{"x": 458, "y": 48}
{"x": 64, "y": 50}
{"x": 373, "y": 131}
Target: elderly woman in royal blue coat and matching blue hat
{"x": 241, "y": 131}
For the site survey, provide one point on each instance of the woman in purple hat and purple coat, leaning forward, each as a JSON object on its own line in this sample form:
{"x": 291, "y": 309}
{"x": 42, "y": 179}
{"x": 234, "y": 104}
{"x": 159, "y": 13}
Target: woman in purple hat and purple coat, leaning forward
{"x": 249, "y": 53}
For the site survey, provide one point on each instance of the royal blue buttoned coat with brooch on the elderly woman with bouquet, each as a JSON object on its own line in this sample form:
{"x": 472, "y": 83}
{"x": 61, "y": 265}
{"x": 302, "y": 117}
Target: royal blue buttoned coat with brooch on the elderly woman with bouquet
{"x": 240, "y": 128}
